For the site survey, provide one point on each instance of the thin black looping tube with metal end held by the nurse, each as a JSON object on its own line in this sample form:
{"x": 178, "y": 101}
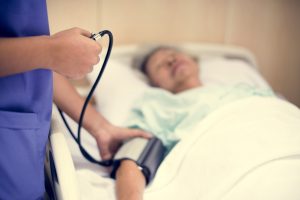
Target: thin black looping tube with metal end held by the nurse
{"x": 88, "y": 98}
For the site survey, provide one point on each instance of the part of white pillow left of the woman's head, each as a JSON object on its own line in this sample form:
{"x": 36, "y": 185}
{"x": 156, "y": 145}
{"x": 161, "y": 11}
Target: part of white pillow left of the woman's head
{"x": 119, "y": 87}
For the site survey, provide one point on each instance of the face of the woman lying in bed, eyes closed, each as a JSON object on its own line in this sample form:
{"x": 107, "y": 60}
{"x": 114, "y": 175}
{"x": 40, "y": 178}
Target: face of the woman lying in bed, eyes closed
{"x": 171, "y": 69}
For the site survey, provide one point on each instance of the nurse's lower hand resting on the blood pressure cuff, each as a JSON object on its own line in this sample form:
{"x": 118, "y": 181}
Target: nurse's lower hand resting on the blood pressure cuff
{"x": 110, "y": 138}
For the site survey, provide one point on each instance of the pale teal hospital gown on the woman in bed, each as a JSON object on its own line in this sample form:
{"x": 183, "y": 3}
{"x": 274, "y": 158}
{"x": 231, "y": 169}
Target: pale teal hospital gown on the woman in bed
{"x": 168, "y": 116}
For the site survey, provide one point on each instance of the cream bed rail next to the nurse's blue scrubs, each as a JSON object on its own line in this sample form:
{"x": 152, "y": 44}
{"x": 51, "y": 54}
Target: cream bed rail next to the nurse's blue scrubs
{"x": 61, "y": 181}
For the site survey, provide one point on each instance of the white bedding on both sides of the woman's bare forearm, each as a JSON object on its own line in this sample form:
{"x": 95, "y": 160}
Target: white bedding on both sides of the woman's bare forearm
{"x": 248, "y": 149}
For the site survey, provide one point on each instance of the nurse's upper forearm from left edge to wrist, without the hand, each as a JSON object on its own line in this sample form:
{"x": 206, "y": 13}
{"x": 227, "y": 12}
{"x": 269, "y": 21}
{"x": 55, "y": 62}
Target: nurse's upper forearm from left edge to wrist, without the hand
{"x": 23, "y": 54}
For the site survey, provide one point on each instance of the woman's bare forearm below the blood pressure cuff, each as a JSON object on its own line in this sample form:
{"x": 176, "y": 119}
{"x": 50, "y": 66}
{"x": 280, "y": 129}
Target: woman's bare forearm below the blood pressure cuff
{"x": 130, "y": 181}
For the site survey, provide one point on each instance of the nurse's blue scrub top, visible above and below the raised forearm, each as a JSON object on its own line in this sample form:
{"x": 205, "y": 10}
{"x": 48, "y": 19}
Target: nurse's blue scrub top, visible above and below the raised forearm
{"x": 25, "y": 107}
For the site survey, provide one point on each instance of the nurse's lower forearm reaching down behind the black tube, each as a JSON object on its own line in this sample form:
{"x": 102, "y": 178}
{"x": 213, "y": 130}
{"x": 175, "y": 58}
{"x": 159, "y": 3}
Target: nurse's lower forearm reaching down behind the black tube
{"x": 68, "y": 100}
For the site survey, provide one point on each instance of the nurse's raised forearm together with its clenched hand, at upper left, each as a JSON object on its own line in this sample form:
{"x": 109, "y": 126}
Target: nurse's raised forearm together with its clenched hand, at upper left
{"x": 71, "y": 53}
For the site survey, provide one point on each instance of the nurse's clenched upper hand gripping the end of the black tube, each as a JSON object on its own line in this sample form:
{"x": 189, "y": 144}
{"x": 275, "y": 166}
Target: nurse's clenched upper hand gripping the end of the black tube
{"x": 72, "y": 53}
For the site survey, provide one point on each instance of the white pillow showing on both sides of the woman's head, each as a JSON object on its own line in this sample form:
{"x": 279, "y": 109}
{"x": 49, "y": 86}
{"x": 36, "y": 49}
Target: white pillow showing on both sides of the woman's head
{"x": 121, "y": 84}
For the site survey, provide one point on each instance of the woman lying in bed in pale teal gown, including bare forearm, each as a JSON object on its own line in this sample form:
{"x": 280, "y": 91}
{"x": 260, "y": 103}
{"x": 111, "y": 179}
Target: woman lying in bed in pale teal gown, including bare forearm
{"x": 175, "y": 104}
